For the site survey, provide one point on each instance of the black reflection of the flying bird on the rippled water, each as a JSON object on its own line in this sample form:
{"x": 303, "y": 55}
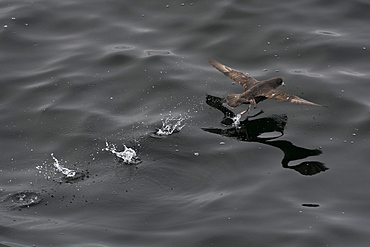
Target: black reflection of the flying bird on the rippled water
{"x": 251, "y": 131}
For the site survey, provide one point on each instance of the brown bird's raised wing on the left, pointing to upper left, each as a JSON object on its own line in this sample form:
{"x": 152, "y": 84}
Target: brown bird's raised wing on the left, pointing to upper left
{"x": 246, "y": 81}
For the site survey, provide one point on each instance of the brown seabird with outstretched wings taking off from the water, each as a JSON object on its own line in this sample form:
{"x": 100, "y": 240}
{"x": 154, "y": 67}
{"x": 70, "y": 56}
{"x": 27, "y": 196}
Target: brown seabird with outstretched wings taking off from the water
{"x": 256, "y": 91}
